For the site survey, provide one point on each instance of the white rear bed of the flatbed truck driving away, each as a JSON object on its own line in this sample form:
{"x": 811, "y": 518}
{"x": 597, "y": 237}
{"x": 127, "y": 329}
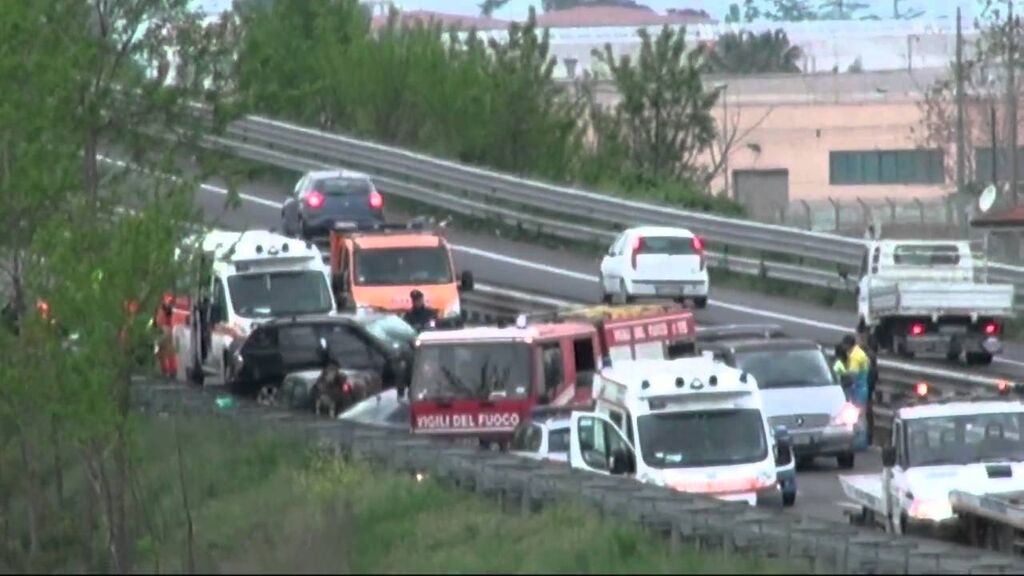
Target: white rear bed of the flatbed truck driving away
{"x": 945, "y": 299}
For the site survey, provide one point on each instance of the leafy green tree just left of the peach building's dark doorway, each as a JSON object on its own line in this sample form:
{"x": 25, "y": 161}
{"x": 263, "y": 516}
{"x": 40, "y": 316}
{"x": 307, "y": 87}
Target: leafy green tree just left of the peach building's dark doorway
{"x": 663, "y": 119}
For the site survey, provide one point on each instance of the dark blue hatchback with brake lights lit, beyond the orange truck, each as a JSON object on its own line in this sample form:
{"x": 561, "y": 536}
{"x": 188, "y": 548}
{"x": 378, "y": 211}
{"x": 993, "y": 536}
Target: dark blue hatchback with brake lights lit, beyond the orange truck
{"x": 324, "y": 198}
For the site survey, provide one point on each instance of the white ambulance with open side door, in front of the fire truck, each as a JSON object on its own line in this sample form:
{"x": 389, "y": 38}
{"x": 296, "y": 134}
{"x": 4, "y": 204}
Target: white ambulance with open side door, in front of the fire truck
{"x": 694, "y": 425}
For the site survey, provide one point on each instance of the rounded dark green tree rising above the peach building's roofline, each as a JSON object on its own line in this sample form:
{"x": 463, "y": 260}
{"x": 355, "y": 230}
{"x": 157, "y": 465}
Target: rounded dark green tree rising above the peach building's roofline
{"x": 746, "y": 53}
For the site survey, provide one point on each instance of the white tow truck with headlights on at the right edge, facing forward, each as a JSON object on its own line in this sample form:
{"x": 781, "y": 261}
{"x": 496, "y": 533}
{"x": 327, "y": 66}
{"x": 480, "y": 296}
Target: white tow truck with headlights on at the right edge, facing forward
{"x": 971, "y": 446}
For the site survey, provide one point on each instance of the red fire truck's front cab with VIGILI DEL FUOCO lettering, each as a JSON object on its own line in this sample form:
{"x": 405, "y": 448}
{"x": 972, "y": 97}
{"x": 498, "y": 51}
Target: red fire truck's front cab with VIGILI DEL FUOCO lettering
{"x": 482, "y": 383}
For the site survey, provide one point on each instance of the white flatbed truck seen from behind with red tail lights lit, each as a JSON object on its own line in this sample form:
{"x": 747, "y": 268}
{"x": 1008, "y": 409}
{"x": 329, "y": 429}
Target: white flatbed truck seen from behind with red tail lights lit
{"x": 923, "y": 298}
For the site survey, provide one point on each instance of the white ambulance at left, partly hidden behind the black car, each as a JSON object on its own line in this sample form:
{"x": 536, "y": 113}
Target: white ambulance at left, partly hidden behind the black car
{"x": 238, "y": 280}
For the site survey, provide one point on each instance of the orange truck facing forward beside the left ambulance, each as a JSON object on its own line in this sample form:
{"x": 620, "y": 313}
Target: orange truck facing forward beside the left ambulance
{"x": 378, "y": 266}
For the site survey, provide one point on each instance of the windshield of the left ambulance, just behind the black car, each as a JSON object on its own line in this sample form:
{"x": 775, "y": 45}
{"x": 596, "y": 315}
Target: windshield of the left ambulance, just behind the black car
{"x": 280, "y": 294}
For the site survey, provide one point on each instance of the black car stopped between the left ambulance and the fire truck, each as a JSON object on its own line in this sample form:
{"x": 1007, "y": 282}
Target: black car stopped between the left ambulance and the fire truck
{"x": 379, "y": 345}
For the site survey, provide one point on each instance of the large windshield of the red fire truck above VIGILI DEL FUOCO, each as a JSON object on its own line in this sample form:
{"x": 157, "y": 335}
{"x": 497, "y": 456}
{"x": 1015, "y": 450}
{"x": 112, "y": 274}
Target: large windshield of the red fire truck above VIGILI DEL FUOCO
{"x": 473, "y": 372}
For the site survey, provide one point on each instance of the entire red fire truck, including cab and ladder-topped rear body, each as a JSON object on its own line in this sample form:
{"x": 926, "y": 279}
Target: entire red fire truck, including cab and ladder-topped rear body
{"x": 481, "y": 383}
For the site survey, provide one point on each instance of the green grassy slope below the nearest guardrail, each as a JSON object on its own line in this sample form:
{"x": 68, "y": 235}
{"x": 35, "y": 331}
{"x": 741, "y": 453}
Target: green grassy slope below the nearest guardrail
{"x": 264, "y": 504}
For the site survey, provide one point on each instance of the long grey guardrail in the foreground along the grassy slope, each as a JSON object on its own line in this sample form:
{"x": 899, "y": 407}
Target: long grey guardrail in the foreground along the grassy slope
{"x": 522, "y": 486}
